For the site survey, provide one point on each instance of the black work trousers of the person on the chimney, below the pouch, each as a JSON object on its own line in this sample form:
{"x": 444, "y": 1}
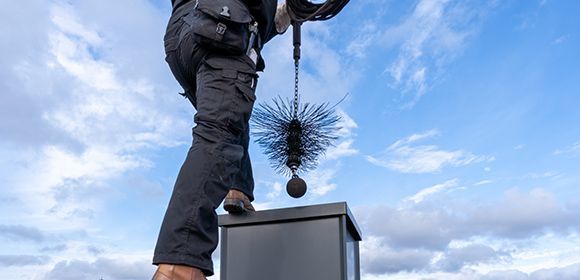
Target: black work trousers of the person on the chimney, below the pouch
{"x": 222, "y": 89}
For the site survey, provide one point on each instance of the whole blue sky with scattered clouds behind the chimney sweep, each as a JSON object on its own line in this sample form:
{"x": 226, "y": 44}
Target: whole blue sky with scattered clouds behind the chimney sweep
{"x": 458, "y": 153}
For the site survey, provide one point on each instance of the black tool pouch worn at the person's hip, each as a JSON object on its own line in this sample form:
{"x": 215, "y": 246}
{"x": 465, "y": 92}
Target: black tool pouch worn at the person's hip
{"x": 221, "y": 25}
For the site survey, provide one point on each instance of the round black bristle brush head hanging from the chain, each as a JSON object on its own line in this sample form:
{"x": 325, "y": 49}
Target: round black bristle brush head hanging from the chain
{"x": 294, "y": 139}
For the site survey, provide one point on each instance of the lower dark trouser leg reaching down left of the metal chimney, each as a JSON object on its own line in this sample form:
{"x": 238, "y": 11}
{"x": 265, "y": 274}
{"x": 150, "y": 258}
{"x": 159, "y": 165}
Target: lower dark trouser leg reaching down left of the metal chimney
{"x": 182, "y": 238}
